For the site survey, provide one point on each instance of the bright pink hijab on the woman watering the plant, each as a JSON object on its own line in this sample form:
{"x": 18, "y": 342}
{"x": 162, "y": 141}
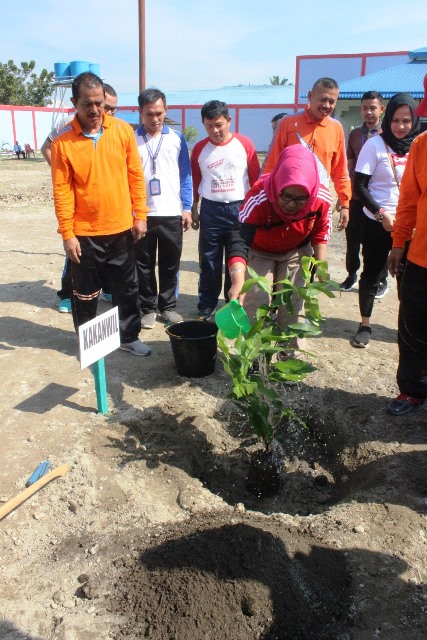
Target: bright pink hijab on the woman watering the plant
{"x": 296, "y": 166}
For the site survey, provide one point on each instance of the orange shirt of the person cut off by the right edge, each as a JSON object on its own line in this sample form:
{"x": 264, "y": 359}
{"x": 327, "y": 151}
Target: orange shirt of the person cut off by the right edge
{"x": 411, "y": 210}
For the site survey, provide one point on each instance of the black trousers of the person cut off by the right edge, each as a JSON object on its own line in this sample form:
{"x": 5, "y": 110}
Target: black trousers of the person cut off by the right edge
{"x": 412, "y": 332}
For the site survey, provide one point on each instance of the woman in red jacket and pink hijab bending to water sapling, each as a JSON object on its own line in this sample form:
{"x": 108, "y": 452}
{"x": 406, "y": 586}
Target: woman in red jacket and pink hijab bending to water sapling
{"x": 285, "y": 215}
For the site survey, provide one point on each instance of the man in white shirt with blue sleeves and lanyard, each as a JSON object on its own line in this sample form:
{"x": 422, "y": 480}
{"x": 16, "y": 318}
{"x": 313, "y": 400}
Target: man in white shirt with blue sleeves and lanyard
{"x": 166, "y": 163}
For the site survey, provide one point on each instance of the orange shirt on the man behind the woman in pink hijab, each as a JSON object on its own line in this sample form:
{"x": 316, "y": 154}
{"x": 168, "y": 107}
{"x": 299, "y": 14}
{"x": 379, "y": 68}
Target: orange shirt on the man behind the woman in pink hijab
{"x": 325, "y": 138}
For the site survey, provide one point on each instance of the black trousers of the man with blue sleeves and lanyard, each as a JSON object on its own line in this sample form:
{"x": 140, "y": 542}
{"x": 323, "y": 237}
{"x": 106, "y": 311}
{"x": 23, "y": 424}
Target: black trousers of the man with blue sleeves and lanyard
{"x": 164, "y": 238}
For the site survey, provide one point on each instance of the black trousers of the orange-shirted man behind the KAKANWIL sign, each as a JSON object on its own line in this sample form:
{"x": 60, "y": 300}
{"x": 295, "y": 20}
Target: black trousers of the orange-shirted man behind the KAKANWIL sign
{"x": 107, "y": 259}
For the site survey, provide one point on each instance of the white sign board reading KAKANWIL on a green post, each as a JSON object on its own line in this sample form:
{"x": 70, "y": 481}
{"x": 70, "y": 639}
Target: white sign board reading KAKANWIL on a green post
{"x": 99, "y": 337}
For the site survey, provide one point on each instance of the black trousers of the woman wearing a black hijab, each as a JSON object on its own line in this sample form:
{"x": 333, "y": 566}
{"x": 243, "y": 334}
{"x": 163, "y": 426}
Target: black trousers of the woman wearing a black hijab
{"x": 376, "y": 245}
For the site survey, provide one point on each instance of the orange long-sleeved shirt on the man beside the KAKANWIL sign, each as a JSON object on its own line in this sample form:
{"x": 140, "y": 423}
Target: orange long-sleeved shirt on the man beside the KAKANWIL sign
{"x": 97, "y": 188}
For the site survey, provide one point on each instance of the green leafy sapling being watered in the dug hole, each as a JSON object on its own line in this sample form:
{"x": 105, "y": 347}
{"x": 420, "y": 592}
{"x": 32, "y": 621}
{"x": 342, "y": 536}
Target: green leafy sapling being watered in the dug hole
{"x": 257, "y": 392}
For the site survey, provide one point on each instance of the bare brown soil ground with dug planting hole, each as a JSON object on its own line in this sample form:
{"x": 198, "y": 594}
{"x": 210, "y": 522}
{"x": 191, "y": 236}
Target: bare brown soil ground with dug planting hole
{"x": 152, "y": 533}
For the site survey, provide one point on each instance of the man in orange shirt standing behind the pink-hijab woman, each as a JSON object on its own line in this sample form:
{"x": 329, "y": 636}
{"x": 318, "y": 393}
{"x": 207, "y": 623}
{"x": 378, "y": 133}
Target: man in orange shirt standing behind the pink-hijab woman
{"x": 324, "y": 136}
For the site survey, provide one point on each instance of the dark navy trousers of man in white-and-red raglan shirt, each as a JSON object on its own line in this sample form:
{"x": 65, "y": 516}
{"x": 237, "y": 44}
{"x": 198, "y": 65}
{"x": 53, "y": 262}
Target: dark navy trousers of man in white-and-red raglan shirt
{"x": 216, "y": 221}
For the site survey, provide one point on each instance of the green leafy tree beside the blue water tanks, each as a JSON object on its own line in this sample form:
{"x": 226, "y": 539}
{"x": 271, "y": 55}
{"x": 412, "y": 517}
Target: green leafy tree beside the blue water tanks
{"x": 21, "y": 86}
